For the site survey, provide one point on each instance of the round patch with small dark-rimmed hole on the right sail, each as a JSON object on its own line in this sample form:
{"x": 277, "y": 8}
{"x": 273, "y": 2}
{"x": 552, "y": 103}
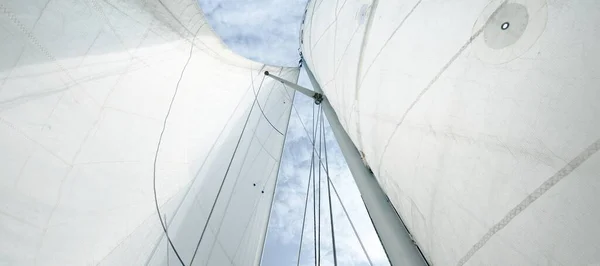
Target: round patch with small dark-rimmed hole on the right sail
{"x": 508, "y": 29}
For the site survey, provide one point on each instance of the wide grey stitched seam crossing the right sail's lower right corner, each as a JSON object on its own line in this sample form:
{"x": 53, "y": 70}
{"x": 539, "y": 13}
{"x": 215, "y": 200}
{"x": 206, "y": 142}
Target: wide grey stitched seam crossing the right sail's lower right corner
{"x": 527, "y": 201}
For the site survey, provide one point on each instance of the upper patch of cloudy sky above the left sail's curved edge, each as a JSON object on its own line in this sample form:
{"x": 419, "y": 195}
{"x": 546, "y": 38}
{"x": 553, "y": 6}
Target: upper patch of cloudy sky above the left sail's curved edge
{"x": 262, "y": 30}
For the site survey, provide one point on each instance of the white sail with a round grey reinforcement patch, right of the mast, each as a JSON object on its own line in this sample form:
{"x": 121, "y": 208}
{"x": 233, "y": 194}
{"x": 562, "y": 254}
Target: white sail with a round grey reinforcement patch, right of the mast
{"x": 478, "y": 119}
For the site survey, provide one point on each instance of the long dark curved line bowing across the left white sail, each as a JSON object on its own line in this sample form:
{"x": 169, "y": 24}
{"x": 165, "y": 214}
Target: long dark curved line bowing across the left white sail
{"x": 162, "y": 132}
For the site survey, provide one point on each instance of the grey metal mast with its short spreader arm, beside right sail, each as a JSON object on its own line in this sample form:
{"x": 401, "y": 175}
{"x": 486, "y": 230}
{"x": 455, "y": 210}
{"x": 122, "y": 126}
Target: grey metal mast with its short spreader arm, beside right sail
{"x": 394, "y": 237}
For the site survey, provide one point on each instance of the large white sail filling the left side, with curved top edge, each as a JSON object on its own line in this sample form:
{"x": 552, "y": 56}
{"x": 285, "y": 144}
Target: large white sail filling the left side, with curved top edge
{"x": 113, "y": 111}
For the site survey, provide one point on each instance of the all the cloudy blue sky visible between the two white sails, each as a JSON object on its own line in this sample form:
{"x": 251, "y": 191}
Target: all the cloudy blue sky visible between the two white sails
{"x": 268, "y": 31}
